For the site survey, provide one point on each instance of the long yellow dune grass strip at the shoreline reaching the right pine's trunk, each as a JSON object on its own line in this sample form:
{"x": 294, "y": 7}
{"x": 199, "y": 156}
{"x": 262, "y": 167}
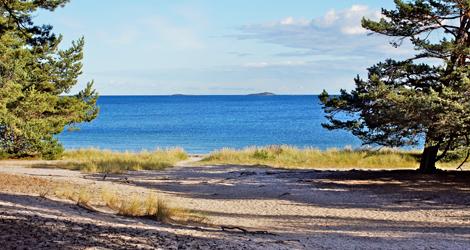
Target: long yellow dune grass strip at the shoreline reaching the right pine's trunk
{"x": 291, "y": 157}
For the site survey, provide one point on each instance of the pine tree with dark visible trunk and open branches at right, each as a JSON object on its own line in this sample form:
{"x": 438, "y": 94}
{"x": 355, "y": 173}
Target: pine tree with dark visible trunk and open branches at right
{"x": 422, "y": 99}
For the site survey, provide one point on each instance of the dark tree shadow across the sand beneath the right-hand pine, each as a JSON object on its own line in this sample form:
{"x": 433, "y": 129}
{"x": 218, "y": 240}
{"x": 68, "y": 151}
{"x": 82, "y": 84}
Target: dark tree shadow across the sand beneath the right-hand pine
{"x": 399, "y": 190}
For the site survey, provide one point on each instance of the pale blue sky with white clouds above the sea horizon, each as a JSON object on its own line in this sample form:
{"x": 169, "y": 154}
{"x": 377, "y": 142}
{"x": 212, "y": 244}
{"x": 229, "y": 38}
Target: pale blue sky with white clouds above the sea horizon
{"x": 161, "y": 47}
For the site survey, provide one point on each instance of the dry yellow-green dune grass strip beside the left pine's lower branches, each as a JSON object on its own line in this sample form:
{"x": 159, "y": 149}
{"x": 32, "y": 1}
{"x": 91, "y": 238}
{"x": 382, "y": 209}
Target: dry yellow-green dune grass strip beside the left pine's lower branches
{"x": 106, "y": 161}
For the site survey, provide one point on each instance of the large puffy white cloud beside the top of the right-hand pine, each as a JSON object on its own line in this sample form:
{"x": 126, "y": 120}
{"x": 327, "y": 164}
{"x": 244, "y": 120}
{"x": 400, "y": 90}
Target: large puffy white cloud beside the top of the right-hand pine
{"x": 338, "y": 32}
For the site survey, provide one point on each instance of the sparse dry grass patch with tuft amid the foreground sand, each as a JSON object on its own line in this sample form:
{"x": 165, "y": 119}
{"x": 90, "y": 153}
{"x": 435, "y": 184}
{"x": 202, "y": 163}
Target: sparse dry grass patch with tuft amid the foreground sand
{"x": 97, "y": 197}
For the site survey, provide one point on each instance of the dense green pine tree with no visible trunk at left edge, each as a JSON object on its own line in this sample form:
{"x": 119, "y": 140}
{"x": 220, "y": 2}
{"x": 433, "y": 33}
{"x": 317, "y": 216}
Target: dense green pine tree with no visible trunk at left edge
{"x": 35, "y": 80}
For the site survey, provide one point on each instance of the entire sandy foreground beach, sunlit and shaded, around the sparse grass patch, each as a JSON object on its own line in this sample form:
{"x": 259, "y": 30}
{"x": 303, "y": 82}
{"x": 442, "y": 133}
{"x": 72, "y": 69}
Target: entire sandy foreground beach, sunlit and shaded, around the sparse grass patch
{"x": 280, "y": 209}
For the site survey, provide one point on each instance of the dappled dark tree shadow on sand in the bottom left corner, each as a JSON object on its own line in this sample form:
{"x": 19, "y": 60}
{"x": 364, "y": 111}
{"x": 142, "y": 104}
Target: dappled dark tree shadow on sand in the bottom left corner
{"x": 29, "y": 222}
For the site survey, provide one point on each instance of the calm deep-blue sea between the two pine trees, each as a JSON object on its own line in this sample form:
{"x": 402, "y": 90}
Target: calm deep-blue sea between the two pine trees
{"x": 201, "y": 124}
